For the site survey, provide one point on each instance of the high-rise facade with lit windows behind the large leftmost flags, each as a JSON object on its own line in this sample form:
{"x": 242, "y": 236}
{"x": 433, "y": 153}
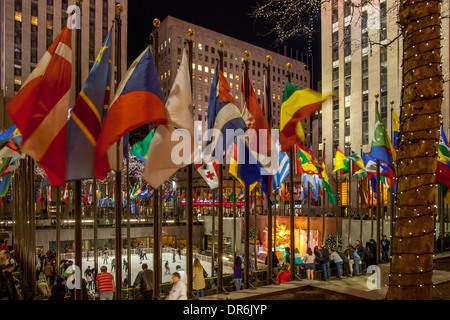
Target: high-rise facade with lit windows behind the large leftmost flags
{"x": 28, "y": 27}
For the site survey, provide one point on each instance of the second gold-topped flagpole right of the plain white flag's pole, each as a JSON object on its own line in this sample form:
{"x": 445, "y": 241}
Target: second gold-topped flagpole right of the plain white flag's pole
{"x": 247, "y": 194}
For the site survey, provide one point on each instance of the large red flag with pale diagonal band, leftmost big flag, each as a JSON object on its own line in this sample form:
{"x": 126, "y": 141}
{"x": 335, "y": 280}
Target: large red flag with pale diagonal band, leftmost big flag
{"x": 40, "y": 108}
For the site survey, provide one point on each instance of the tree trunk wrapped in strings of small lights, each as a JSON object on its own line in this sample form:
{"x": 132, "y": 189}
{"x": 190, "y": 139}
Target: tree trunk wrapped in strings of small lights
{"x": 413, "y": 239}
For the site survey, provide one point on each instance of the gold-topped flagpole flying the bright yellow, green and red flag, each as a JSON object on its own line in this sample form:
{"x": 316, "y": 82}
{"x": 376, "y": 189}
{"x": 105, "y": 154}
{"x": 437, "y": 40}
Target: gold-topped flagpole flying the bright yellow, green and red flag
{"x": 292, "y": 198}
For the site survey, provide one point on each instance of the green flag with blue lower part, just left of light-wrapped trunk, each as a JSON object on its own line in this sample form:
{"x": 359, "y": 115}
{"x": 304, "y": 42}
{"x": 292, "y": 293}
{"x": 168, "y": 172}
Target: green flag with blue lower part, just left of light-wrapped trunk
{"x": 382, "y": 148}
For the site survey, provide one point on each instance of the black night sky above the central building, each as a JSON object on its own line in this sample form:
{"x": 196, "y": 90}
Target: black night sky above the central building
{"x": 230, "y": 17}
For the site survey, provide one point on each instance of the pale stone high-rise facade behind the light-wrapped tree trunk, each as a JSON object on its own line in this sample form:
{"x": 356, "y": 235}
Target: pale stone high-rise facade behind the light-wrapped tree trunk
{"x": 361, "y": 57}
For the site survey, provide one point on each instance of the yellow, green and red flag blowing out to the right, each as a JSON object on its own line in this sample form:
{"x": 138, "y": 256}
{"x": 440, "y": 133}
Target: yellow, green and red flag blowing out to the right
{"x": 298, "y": 104}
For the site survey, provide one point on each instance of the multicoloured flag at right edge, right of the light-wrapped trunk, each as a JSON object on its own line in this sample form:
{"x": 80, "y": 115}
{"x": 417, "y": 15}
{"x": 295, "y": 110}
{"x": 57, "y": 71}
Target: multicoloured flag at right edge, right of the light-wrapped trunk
{"x": 443, "y": 166}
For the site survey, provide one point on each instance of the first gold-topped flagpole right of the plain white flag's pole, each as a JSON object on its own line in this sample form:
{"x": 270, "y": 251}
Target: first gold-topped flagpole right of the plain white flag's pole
{"x": 220, "y": 288}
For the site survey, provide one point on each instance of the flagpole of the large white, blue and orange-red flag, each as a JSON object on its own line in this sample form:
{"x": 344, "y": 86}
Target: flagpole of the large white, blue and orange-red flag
{"x": 156, "y": 196}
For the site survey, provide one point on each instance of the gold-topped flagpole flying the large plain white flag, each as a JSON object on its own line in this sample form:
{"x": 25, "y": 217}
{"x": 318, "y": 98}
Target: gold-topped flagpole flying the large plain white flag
{"x": 189, "y": 205}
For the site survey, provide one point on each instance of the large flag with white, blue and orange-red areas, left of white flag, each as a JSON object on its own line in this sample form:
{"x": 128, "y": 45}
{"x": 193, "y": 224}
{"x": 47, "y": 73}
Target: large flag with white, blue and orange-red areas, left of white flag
{"x": 138, "y": 101}
